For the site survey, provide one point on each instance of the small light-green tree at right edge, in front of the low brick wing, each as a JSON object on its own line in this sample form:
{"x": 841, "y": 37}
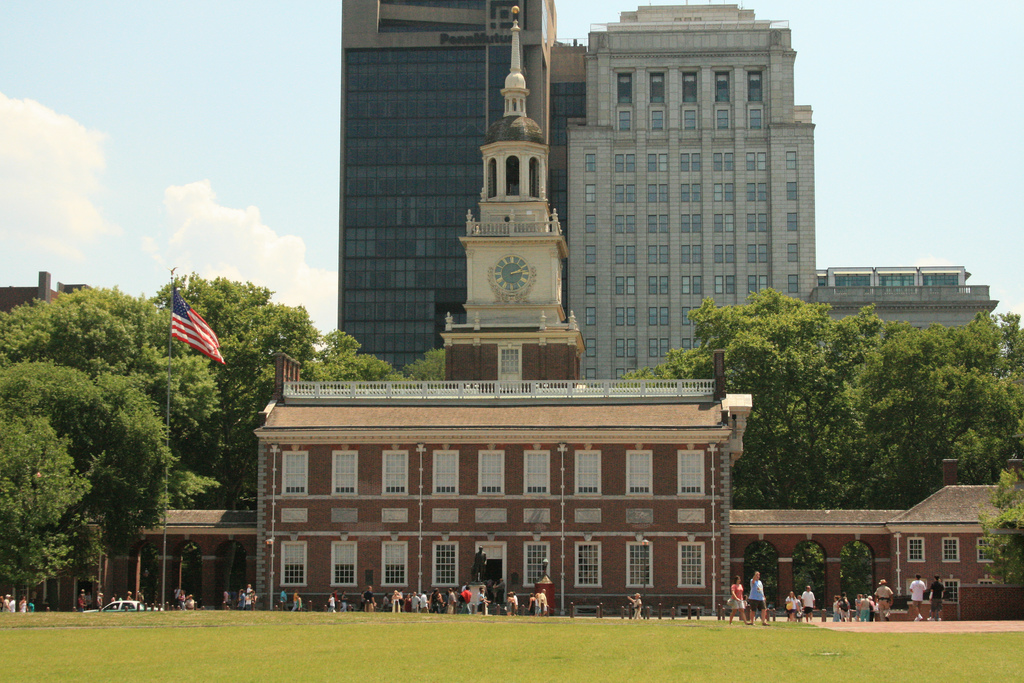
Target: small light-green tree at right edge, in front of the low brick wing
{"x": 1005, "y": 528}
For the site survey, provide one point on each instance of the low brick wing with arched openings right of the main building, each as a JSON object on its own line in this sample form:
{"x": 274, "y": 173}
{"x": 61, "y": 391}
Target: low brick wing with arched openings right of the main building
{"x": 942, "y": 536}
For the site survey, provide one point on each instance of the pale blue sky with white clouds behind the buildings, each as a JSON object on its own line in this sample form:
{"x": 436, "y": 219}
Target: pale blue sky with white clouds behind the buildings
{"x": 204, "y": 136}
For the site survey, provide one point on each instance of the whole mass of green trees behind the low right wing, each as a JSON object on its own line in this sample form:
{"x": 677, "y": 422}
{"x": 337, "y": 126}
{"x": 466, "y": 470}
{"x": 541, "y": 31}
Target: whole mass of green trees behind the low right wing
{"x": 858, "y": 413}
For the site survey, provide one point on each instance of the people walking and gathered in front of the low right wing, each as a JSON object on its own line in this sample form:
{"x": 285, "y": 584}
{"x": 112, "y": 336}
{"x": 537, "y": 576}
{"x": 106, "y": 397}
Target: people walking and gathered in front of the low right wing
{"x": 866, "y": 608}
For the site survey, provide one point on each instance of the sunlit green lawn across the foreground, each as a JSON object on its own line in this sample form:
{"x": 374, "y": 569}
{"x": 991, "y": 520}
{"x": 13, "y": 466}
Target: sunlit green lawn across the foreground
{"x": 273, "y": 647}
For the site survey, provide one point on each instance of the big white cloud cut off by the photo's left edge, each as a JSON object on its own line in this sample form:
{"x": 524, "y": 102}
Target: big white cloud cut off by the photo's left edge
{"x": 50, "y": 175}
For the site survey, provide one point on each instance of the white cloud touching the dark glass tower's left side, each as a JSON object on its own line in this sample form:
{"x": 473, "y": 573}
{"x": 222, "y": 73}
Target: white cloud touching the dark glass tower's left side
{"x": 216, "y": 241}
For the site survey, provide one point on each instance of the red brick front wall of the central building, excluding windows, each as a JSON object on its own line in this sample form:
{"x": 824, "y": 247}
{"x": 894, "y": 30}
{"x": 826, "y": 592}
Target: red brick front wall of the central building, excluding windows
{"x": 618, "y": 527}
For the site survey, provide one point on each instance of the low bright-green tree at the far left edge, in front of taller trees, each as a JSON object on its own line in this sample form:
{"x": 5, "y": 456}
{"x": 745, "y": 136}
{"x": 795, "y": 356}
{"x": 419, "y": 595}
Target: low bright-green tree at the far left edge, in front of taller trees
{"x": 39, "y": 489}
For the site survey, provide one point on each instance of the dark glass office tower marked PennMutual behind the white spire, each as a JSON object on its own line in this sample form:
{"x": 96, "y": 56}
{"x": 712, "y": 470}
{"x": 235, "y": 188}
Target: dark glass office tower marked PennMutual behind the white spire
{"x": 421, "y": 82}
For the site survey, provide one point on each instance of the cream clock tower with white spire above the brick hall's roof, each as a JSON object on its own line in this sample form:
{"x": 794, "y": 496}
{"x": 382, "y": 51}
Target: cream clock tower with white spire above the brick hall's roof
{"x": 516, "y": 325}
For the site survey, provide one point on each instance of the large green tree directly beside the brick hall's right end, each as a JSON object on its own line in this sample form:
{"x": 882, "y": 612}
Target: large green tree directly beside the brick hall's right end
{"x": 798, "y": 364}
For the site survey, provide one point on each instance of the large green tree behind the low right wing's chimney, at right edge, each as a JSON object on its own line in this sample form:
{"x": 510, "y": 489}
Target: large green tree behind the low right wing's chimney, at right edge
{"x": 931, "y": 395}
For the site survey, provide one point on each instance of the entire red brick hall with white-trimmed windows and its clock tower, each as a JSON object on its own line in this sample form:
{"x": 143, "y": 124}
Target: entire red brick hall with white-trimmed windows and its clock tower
{"x": 608, "y": 487}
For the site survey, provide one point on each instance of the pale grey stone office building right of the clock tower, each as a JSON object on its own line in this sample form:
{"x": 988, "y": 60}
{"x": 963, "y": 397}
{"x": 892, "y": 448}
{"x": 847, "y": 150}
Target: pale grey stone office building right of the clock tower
{"x": 693, "y": 178}
